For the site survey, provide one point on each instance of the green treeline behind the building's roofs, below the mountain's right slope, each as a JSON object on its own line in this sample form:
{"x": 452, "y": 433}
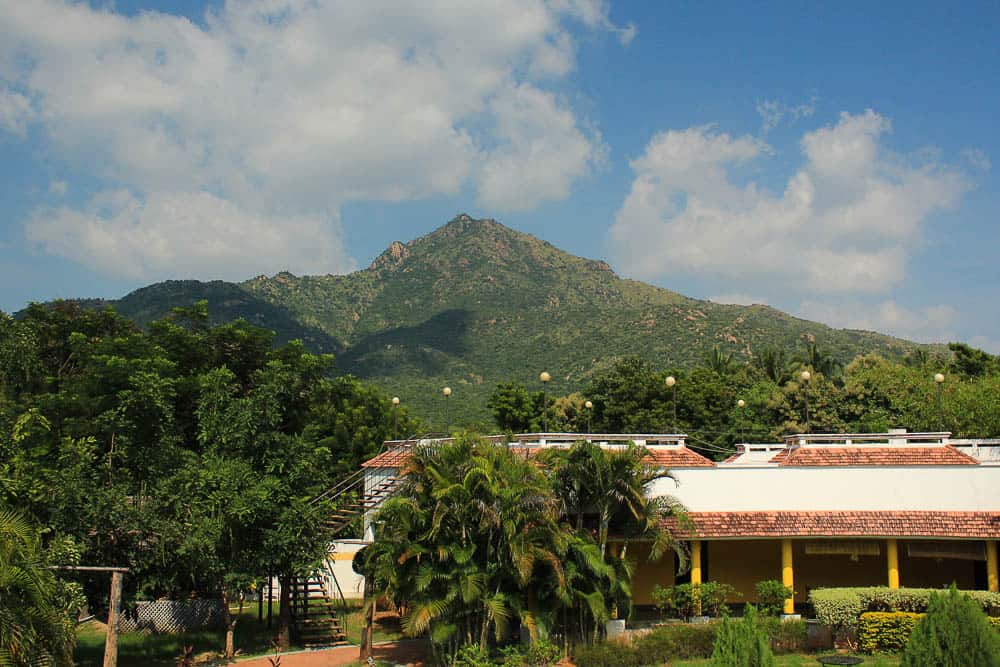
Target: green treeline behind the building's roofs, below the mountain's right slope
{"x": 871, "y": 394}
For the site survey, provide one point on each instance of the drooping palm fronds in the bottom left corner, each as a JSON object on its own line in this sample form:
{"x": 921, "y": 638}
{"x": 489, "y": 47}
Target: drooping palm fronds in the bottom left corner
{"x": 33, "y": 631}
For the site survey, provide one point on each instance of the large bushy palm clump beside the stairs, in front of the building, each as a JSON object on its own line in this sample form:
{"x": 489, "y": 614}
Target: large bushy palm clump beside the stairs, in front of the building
{"x": 466, "y": 544}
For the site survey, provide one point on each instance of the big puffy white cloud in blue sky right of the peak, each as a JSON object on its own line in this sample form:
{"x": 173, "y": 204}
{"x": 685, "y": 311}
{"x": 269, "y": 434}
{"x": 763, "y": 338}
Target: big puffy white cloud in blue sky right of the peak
{"x": 847, "y": 220}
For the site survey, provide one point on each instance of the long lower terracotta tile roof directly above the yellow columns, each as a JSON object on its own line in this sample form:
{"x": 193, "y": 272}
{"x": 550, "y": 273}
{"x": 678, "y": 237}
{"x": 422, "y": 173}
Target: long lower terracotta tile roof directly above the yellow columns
{"x": 972, "y": 525}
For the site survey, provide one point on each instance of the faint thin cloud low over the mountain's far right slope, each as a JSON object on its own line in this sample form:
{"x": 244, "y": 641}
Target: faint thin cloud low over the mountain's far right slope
{"x": 926, "y": 324}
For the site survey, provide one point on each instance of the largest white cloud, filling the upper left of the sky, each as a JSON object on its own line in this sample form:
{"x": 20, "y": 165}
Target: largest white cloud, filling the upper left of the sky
{"x": 288, "y": 109}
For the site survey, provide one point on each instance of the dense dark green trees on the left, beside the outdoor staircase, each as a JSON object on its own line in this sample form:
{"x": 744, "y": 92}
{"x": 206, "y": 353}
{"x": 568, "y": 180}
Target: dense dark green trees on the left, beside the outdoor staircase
{"x": 187, "y": 452}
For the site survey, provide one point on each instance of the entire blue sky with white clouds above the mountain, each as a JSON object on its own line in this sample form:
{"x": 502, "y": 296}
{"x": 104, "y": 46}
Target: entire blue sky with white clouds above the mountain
{"x": 834, "y": 161}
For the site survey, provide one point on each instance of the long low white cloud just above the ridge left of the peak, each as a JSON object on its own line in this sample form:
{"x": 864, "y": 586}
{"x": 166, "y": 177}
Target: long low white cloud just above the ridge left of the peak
{"x": 184, "y": 234}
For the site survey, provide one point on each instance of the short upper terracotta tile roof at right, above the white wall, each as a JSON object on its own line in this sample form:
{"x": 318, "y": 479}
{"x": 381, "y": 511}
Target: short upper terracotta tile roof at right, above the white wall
{"x": 873, "y": 456}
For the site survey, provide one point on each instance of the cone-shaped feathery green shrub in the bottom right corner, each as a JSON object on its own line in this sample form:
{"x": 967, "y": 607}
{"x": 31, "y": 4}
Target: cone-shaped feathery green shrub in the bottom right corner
{"x": 954, "y": 633}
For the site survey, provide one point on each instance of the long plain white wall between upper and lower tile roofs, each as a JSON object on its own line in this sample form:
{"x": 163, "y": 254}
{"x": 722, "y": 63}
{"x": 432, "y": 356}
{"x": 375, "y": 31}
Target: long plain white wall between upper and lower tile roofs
{"x": 721, "y": 489}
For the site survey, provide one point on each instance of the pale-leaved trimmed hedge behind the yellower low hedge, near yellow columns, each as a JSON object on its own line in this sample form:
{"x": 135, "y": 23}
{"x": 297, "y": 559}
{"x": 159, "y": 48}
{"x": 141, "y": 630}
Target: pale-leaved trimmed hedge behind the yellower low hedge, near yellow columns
{"x": 842, "y": 607}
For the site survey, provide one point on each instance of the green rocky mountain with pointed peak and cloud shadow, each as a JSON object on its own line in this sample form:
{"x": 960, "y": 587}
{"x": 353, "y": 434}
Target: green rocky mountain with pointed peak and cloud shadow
{"x": 475, "y": 303}
